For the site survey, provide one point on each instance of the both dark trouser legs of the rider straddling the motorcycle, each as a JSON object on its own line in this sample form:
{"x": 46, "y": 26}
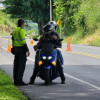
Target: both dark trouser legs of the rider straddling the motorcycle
{"x": 59, "y": 65}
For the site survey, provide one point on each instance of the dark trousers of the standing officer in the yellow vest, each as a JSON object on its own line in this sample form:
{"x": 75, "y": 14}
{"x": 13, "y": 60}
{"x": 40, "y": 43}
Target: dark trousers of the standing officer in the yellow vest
{"x": 19, "y": 64}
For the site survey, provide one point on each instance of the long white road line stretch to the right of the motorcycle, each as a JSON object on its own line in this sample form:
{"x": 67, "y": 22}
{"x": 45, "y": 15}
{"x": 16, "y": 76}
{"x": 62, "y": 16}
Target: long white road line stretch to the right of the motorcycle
{"x": 82, "y": 81}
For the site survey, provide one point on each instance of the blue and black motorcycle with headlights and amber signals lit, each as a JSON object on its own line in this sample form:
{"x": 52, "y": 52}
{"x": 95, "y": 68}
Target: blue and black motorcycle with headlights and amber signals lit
{"x": 47, "y": 63}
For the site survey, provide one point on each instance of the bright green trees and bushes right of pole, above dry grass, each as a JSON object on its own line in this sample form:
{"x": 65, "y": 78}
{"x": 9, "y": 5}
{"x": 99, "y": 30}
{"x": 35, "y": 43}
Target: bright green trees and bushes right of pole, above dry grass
{"x": 79, "y": 17}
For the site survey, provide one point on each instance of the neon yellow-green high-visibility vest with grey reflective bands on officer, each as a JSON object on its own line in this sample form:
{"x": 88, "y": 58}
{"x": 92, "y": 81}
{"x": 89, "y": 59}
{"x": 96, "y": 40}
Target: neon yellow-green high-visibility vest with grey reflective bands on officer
{"x": 19, "y": 37}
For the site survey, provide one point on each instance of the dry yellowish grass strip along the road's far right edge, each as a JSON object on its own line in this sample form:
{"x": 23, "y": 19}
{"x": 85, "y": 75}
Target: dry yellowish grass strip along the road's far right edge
{"x": 91, "y": 39}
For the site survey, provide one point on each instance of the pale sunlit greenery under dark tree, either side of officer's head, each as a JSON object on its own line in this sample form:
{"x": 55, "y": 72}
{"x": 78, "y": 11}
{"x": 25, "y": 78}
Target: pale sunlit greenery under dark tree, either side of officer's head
{"x": 7, "y": 24}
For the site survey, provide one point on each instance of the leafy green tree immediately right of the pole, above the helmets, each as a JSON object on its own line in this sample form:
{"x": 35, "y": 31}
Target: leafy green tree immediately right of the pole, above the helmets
{"x": 65, "y": 10}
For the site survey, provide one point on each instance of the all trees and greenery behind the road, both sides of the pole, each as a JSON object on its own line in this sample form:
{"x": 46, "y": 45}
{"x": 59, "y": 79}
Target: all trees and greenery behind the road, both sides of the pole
{"x": 80, "y": 19}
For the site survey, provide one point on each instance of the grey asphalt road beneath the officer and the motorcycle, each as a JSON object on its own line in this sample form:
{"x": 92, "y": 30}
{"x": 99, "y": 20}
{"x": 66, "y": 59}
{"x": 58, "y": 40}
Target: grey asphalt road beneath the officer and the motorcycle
{"x": 81, "y": 68}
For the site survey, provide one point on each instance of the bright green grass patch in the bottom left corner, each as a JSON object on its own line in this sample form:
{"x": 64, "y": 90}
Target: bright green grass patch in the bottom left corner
{"x": 7, "y": 89}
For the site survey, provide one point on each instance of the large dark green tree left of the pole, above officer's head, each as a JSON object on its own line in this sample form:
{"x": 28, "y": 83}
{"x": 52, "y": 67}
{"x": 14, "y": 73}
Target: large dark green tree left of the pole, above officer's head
{"x": 35, "y": 10}
